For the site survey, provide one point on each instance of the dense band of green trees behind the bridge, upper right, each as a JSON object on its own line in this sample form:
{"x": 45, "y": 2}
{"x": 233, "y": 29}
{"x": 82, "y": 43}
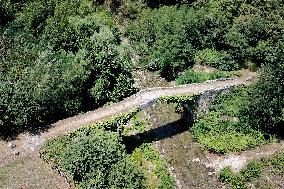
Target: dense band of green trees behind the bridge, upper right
{"x": 223, "y": 34}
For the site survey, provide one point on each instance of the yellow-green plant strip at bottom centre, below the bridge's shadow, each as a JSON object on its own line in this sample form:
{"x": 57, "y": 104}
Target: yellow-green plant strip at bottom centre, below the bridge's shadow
{"x": 158, "y": 175}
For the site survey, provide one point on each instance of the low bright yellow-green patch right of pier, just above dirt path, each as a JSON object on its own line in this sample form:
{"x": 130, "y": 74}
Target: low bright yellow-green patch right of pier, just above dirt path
{"x": 223, "y": 136}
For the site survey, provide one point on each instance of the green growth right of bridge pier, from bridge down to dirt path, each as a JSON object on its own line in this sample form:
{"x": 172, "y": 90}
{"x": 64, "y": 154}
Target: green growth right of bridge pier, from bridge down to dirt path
{"x": 224, "y": 129}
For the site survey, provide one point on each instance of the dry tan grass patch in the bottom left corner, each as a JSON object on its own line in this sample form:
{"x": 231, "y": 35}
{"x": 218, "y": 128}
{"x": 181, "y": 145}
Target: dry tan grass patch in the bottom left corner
{"x": 30, "y": 173}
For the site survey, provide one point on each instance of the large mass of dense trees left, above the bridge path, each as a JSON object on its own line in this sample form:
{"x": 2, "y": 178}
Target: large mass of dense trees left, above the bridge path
{"x": 59, "y": 58}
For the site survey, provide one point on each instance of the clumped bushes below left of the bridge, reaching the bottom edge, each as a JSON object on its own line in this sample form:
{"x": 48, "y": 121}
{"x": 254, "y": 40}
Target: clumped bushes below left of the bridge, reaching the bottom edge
{"x": 99, "y": 161}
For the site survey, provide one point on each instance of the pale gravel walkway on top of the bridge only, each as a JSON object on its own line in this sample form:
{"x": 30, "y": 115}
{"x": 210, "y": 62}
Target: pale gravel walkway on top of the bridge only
{"x": 137, "y": 100}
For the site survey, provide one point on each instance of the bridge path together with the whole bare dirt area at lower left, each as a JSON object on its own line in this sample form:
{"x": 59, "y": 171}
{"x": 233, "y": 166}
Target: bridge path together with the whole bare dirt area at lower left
{"x": 23, "y": 154}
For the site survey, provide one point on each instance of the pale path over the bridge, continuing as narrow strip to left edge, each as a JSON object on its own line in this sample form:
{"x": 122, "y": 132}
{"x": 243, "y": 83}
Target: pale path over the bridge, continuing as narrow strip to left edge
{"x": 27, "y": 143}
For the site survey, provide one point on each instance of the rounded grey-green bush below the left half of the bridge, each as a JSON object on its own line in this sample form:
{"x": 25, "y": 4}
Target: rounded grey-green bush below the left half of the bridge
{"x": 104, "y": 149}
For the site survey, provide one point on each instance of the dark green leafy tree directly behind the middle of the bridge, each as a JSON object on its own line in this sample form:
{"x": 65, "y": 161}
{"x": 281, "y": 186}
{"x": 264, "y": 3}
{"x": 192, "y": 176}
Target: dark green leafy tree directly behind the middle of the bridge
{"x": 161, "y": 42}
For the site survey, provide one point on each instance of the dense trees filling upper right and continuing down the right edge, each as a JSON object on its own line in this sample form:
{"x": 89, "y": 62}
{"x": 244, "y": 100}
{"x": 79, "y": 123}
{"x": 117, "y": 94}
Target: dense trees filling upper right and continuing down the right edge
{"x": 224, "y": 34}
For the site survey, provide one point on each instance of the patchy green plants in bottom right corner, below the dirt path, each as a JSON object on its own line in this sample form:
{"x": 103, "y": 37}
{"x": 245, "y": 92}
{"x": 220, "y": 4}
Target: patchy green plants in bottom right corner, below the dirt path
{"x": 254, "y": 173}
